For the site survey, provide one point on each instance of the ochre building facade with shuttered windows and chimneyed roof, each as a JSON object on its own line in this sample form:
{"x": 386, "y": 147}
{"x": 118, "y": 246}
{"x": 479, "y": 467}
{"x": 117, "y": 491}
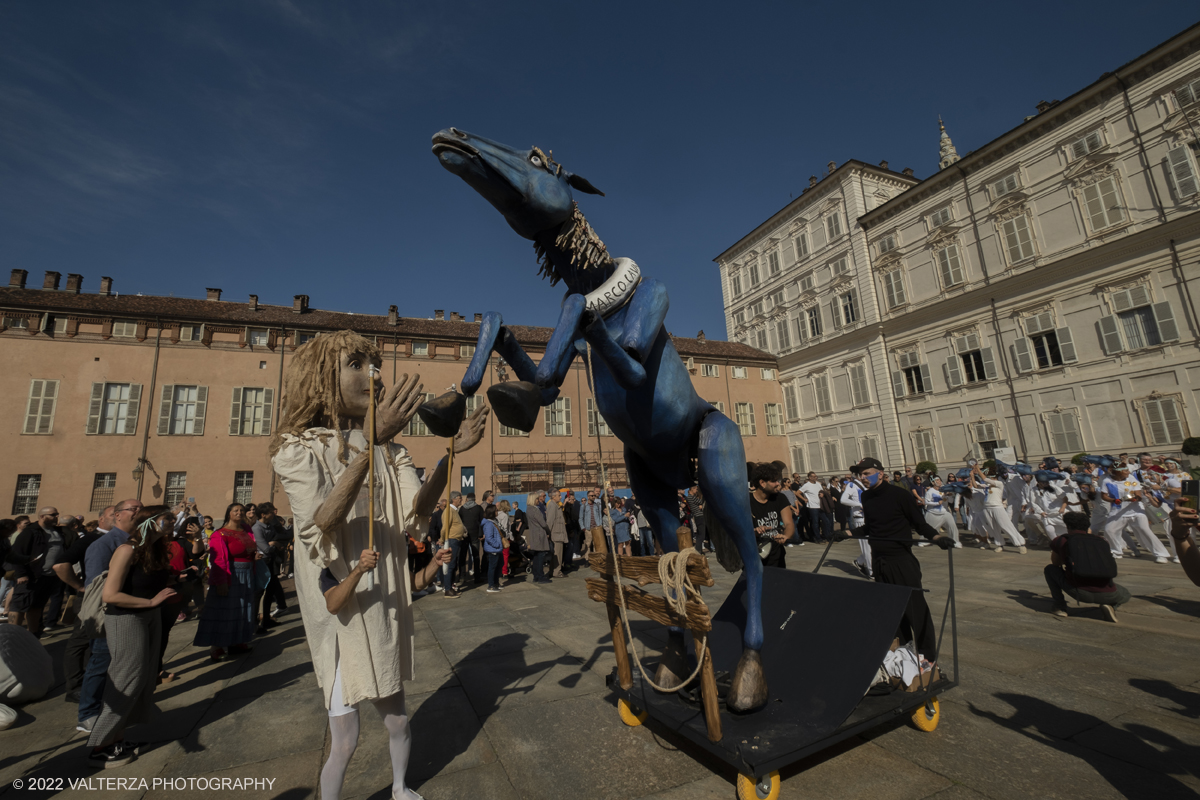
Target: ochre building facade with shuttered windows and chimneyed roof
{"x": 167, "y": 399}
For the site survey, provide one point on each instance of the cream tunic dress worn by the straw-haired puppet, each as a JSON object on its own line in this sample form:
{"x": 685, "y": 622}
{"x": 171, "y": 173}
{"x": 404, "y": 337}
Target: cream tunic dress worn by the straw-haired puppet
{"x": 374, "y": 634}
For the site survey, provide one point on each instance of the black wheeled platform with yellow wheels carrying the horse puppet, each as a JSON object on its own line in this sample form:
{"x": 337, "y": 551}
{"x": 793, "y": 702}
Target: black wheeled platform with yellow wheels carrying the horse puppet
{"x": 825, "y": 639}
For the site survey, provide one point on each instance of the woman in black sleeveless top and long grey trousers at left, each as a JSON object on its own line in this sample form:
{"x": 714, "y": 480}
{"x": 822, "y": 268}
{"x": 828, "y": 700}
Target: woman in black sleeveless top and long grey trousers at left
{"x": 134, "y": 592}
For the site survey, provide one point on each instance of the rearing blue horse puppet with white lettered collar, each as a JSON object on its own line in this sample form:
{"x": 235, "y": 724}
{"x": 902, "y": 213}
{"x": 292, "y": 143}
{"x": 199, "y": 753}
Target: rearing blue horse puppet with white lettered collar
{"x": 673, "y": 438}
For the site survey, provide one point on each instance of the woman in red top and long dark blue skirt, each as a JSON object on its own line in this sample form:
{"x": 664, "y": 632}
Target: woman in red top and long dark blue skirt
{"x": 229, "y": 619}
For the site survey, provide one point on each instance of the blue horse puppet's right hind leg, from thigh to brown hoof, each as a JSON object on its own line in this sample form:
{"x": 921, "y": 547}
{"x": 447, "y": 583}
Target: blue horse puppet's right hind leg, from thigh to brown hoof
{"x": 722, "y": 472}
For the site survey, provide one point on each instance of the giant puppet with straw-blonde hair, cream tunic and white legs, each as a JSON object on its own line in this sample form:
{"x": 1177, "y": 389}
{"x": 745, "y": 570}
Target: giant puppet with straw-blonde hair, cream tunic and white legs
{"x": 361, "y": 633}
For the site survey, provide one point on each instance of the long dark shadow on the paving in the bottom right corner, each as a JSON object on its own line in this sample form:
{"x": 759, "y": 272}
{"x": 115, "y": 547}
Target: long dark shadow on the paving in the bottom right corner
{"x": 1136, "y": 769}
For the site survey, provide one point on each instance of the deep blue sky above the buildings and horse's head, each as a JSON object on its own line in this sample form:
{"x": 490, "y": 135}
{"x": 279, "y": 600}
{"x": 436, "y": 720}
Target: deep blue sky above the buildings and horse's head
{"x": 280, "y": 148}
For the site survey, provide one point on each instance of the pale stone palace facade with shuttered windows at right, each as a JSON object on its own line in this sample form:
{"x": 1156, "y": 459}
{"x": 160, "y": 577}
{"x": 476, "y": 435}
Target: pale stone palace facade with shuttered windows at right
{"x": 1037, "y": 293}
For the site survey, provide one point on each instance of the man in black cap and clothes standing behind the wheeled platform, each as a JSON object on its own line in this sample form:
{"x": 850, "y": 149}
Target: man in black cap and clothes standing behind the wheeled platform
{"x": 891, "y": 514}
